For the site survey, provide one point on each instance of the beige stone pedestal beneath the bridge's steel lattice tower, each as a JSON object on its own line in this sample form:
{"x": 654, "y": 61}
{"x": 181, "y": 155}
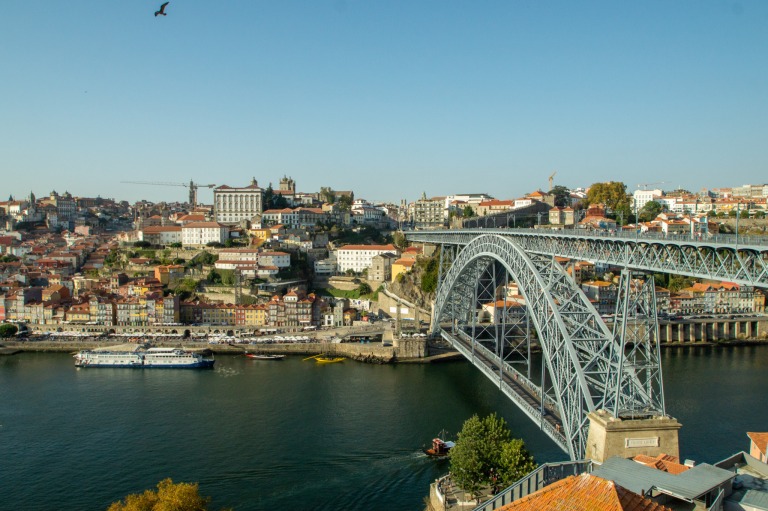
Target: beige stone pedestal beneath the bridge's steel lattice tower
{"x": 626, "y": 438}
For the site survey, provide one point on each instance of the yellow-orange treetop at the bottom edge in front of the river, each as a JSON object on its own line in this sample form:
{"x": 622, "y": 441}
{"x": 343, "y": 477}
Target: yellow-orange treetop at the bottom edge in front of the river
{"x": 169, "y": 496}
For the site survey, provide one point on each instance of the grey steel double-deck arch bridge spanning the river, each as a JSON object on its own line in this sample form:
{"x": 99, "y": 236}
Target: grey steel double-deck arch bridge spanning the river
{"x": 500, "y": 290}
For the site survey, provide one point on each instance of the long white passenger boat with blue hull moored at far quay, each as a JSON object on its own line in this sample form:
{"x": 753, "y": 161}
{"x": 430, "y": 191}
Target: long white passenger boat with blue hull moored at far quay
{"x": 139, "y": 357}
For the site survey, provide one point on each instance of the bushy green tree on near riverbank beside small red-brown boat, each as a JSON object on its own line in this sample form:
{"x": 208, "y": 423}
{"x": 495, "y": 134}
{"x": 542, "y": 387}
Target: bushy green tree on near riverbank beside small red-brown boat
{"x": 485, "y": 455}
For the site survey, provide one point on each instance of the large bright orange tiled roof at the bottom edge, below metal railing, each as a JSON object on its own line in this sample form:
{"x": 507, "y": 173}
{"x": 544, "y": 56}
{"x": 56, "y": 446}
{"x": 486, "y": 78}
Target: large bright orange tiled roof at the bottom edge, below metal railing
{"x": 584, "y": 492}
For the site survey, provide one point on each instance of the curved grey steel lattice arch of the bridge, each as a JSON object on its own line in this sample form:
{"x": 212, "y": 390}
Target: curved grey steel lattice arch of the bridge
{"x": 578, "y": 349}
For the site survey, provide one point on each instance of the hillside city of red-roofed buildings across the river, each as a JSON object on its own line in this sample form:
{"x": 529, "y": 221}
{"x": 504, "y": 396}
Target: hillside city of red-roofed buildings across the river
{"x": 284, "y": 260}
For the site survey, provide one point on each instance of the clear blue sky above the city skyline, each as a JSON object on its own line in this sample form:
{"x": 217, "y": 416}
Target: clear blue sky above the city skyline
{"x": 388, "y": 98}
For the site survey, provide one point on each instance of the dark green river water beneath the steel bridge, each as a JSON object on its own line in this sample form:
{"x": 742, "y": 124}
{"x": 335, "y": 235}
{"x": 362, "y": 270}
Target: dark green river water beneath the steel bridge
{"x": 298, "y": 435}
